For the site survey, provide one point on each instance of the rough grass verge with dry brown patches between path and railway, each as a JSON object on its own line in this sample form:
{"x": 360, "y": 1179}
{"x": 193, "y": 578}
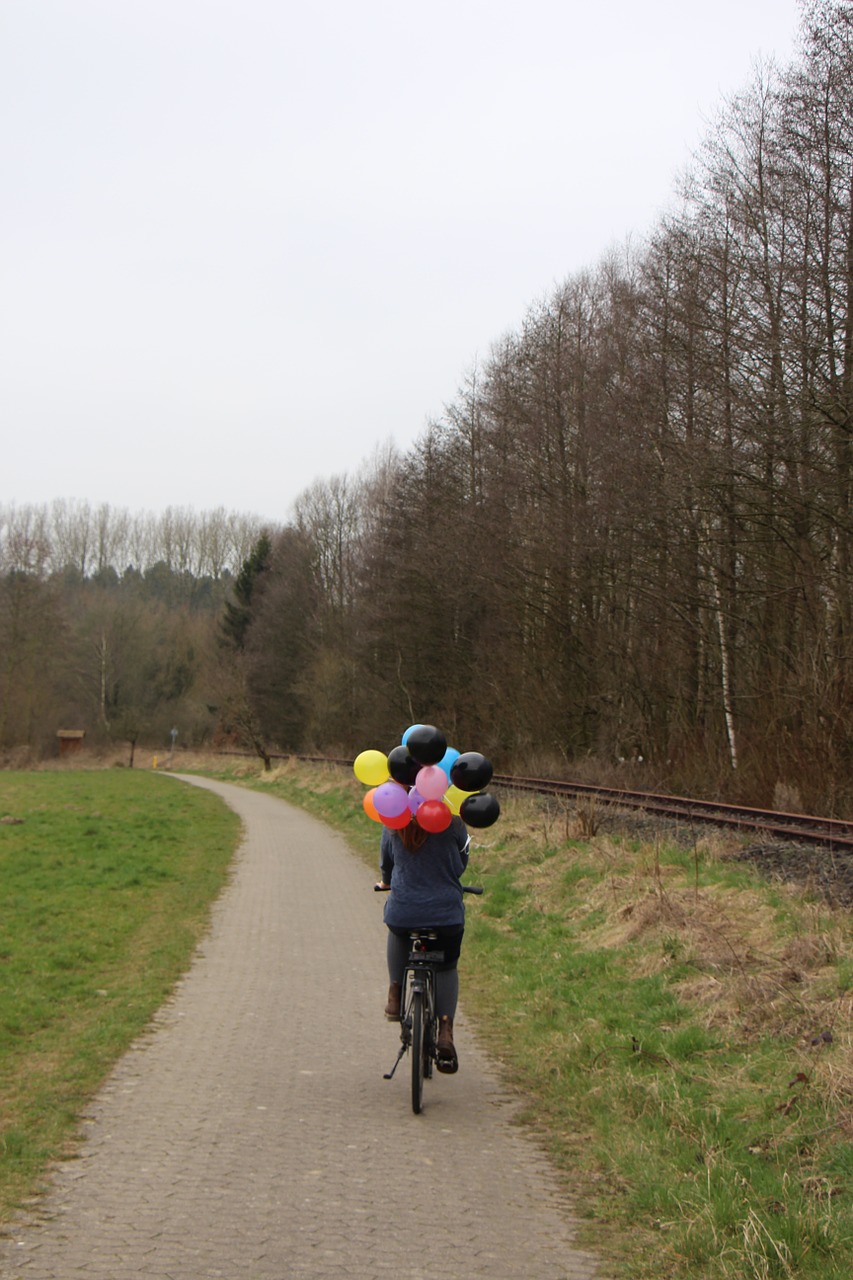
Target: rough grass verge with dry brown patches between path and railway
{"x": 658, "y": 1008}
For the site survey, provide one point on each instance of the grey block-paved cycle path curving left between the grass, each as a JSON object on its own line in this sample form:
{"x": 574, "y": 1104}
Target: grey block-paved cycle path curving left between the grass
{"x": 250, "y": 1135}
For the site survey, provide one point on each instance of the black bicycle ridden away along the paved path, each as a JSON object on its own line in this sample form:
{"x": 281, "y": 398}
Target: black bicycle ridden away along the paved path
{"x": 418, "y": 1020}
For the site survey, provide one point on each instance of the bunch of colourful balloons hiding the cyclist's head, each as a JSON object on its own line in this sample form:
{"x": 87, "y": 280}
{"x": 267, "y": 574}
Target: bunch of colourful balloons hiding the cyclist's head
{"x": 428, "y": 780}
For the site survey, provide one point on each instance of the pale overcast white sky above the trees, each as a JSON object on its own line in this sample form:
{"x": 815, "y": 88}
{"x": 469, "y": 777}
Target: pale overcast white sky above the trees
{"x": 244, "y": 243}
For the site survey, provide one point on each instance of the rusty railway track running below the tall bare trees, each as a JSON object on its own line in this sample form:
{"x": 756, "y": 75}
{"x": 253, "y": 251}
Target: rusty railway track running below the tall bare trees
{"x": 768, "y": 822}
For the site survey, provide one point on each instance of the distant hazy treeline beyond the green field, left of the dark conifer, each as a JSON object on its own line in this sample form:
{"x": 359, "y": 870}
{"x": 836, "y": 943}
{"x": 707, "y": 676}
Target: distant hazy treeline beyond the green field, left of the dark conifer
{"x": 108, "y": 620}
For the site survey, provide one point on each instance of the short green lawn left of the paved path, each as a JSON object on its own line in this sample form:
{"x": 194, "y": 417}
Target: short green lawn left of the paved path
{"x": 106, "y": 886}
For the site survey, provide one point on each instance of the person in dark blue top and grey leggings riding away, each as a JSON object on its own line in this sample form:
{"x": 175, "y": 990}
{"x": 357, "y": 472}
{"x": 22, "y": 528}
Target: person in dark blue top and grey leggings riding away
{"x": 423, "y": 871}
